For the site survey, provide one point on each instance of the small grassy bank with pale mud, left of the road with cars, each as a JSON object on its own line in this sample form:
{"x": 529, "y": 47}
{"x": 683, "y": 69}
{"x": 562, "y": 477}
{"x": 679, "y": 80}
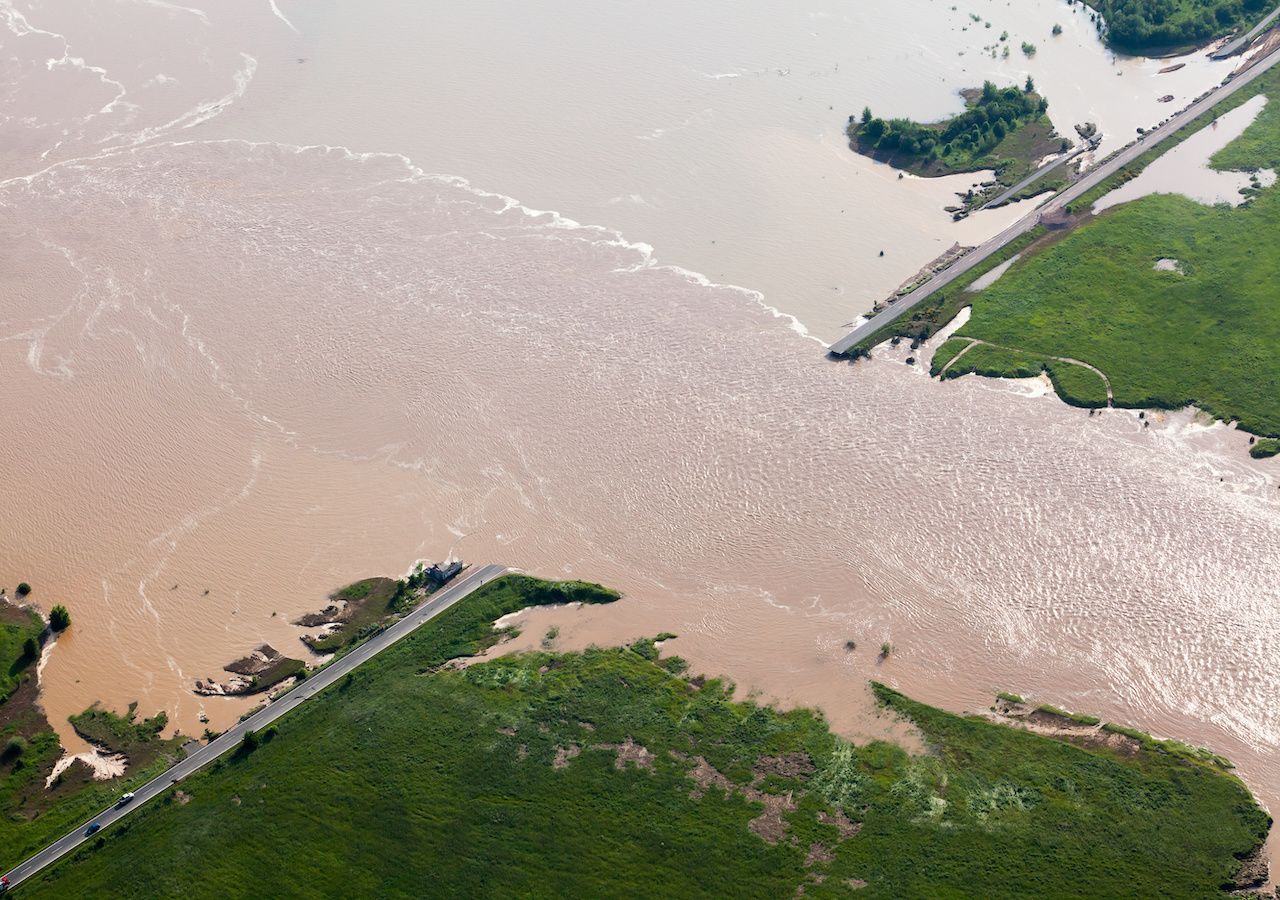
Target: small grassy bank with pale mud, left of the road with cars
{"x": 31, "y": 816}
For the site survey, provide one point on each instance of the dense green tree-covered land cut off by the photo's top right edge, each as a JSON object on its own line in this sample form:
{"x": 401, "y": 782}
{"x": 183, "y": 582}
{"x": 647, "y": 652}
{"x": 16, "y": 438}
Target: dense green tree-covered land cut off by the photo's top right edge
{"x": 1162, "y": 28}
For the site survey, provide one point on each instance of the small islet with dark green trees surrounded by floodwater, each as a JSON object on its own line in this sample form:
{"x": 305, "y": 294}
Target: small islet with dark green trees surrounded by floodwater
{"x": 1005, "y": 130}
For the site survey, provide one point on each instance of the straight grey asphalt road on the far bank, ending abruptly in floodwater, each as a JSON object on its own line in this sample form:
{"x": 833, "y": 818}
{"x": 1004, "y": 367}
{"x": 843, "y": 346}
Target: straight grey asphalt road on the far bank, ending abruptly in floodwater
{"x": 1028, "y": 222}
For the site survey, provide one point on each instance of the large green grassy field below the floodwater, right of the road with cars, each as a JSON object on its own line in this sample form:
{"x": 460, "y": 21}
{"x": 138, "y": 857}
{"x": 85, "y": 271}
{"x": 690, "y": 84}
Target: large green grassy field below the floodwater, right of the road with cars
{"x": 610, "y": 774}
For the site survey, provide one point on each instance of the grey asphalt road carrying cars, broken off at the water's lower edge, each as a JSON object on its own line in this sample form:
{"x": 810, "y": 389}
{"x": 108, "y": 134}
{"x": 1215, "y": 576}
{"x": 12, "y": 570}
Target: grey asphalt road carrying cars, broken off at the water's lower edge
{"x": 435, "y": 606}
